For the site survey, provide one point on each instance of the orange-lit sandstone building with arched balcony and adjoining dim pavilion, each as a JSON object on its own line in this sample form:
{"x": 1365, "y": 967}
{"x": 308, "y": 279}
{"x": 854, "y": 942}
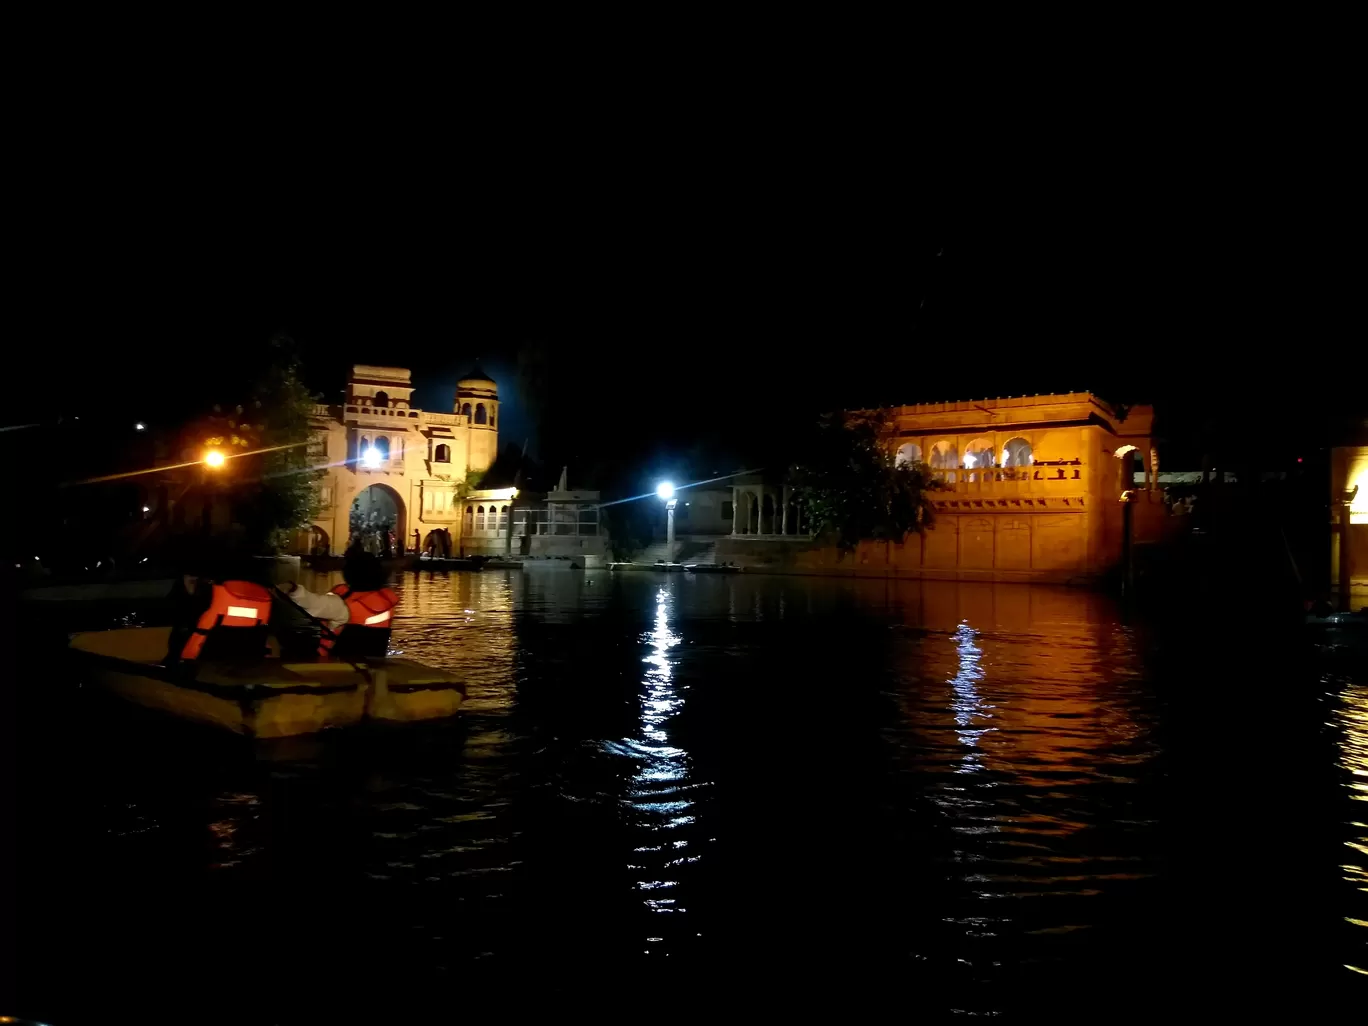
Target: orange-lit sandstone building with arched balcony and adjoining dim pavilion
{"x": 1034, "y": 492}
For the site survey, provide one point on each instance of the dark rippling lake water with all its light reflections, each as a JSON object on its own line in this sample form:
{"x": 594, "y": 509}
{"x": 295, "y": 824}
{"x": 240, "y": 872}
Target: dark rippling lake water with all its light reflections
{"x": 671, "y": 793}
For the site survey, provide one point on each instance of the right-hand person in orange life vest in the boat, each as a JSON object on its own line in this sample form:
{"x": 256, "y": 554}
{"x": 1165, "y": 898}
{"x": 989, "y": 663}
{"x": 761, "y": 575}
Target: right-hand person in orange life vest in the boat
{"x": 358, "y": 612}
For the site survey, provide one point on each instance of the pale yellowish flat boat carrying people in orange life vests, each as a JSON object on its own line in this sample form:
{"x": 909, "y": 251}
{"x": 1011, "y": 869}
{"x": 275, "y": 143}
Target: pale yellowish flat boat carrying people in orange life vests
{"x": 270, "y": 698}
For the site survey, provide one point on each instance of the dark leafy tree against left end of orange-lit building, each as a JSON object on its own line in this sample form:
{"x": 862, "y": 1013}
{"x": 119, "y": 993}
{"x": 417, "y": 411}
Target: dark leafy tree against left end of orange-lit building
{"x": 853, "y": 488}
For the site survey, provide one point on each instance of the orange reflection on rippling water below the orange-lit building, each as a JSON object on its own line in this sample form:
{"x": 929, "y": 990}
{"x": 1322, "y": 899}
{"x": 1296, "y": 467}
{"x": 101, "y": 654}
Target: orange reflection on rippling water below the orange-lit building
{"x": 1034, "y": 683}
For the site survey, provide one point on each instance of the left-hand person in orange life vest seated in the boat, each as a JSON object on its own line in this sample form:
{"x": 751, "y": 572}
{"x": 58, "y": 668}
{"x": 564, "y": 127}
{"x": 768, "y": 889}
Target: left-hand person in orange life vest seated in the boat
{"x": 221, "y": 611}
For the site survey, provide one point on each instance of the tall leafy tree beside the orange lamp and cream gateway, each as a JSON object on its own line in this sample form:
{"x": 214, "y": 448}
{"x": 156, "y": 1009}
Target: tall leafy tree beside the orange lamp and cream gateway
{"x": 276, "y": 490}
